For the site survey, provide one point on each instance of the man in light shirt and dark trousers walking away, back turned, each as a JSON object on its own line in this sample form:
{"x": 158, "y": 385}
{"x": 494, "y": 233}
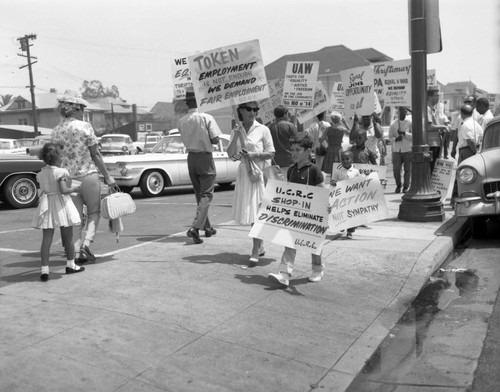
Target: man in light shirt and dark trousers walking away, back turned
{"x": 199, "y": 132}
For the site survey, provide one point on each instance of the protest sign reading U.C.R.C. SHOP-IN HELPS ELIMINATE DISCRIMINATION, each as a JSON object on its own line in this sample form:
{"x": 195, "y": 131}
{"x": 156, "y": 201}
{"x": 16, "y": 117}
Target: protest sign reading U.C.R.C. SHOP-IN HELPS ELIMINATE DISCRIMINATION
{"x": 293, "y": 215}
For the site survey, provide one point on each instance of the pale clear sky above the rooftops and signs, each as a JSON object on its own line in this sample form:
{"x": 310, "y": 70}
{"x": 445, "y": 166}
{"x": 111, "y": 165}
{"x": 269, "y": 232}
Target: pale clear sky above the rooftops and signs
{"x": 131, "y": 44}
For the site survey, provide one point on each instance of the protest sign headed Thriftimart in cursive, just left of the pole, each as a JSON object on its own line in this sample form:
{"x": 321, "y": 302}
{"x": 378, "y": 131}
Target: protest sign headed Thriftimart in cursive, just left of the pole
{"x": 395, "y": 79}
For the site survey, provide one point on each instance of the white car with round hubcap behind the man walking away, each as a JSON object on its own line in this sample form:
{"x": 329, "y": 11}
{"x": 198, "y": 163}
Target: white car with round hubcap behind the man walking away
{"x": 166, "y": 166}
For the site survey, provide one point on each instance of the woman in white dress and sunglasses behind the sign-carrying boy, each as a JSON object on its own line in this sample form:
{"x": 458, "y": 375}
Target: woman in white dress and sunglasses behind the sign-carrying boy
{"x": 249, "y": 141}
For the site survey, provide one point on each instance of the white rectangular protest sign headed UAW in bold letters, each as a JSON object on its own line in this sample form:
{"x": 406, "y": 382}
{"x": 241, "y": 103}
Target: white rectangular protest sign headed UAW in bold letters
{"x": 300, "y": 84}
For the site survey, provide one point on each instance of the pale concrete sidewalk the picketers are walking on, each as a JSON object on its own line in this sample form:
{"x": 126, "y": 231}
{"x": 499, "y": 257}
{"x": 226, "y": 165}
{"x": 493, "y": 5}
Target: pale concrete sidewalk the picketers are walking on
{"x": 174, "y": 316}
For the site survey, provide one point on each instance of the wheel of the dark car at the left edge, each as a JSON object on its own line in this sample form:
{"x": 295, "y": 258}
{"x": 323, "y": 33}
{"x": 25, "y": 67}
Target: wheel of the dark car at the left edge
{"x": 20, "y": 191}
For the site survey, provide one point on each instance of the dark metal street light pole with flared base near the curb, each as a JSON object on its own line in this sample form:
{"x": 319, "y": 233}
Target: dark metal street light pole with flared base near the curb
{"x": 421, "y": 203}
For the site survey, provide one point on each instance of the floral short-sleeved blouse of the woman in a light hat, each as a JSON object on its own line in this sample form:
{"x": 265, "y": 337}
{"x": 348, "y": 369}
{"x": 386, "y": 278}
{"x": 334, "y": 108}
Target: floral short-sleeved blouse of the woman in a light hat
{"x": 75, "y": 137}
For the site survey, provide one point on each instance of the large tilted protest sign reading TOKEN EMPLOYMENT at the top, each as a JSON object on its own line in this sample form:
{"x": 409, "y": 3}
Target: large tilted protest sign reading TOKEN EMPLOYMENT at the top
{"x": 228, "y": 76}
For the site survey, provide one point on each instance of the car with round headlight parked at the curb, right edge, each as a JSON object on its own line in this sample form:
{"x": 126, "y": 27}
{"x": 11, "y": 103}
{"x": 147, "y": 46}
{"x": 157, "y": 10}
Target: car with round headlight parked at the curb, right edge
{"x": 478, "y": 181}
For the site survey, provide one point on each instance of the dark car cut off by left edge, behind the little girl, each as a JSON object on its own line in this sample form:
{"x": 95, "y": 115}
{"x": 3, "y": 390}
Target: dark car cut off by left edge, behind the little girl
{"x": 18, "y": 186}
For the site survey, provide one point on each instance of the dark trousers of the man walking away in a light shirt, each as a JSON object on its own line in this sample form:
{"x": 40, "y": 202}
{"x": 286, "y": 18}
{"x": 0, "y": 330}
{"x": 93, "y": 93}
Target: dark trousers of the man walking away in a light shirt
{"x": 202, "y": 173}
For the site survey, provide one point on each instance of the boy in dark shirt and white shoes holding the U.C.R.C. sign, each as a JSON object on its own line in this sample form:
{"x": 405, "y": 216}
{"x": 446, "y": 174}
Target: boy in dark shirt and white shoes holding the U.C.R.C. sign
{"x": 303, "y": 171}
